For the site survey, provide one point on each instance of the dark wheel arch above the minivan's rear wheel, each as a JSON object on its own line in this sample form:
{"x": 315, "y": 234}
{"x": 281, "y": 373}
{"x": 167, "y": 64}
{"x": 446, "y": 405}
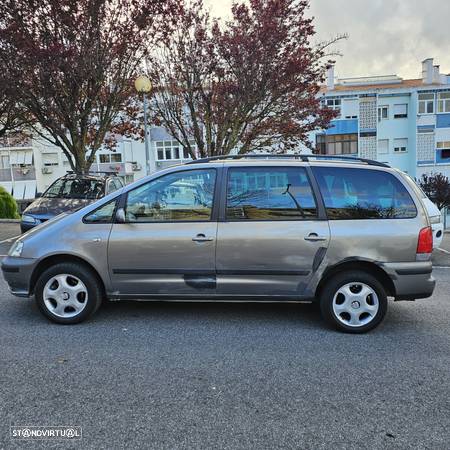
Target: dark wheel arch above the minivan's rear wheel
{"x": 368, "y": 266}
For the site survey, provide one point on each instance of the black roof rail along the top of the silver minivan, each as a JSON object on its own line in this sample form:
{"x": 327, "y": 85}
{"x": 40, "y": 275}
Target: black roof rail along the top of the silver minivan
{"x": 302, "y": 157}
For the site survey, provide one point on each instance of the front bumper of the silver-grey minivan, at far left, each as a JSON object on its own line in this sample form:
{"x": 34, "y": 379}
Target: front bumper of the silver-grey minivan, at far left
{"x": 17, "y": 273}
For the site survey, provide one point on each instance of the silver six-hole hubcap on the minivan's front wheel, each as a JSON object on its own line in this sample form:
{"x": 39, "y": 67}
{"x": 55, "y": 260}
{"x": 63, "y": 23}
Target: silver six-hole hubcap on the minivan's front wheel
{"x": 65, "y": 295}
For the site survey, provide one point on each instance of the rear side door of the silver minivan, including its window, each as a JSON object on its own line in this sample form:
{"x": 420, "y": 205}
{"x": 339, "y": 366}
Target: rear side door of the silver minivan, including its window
{"x": 272, "y": 232}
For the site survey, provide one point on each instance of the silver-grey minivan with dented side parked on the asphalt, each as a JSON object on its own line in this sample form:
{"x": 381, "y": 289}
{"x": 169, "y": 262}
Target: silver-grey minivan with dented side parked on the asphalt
{"x": 344, "y": 232}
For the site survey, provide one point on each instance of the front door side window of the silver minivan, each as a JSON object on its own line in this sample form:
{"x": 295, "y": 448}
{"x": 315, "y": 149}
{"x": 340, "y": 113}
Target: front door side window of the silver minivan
{"x": 180, "y": 196}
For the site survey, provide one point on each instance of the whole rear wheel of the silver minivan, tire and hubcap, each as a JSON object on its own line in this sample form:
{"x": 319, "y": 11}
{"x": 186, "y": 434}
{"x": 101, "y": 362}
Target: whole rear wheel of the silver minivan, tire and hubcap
{"x": 353, "y": 301}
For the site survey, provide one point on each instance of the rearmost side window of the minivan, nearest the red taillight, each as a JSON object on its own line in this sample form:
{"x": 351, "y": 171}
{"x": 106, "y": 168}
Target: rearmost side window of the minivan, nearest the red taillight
{"x": 363, "y": 194}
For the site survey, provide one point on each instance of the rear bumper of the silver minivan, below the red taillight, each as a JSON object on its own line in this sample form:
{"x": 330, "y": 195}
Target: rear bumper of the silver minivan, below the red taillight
{"x": 412, "y": 280}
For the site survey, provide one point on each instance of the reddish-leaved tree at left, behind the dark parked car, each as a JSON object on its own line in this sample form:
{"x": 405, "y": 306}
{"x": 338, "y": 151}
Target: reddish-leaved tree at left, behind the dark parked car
{"x": 74, "y": 62}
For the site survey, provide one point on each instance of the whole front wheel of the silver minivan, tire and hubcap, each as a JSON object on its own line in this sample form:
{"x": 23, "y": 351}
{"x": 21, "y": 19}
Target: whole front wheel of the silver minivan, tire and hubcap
{"x": 68, "y": 293}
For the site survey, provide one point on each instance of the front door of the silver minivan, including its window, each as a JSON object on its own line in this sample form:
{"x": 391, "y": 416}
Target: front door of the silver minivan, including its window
{"x": 166, "y": 245}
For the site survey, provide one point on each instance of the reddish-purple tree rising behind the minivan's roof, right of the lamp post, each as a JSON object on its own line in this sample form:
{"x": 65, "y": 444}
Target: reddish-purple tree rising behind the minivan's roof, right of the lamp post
{"x": 250, "y": 84}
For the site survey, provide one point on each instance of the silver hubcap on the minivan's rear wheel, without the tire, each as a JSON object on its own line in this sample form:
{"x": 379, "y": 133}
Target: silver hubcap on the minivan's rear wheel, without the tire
{"x": 355, "y": 304}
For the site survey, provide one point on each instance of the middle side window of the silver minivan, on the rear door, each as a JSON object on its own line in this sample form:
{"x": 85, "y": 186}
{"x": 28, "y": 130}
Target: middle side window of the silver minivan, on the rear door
{"x": 269, "y": 193}
